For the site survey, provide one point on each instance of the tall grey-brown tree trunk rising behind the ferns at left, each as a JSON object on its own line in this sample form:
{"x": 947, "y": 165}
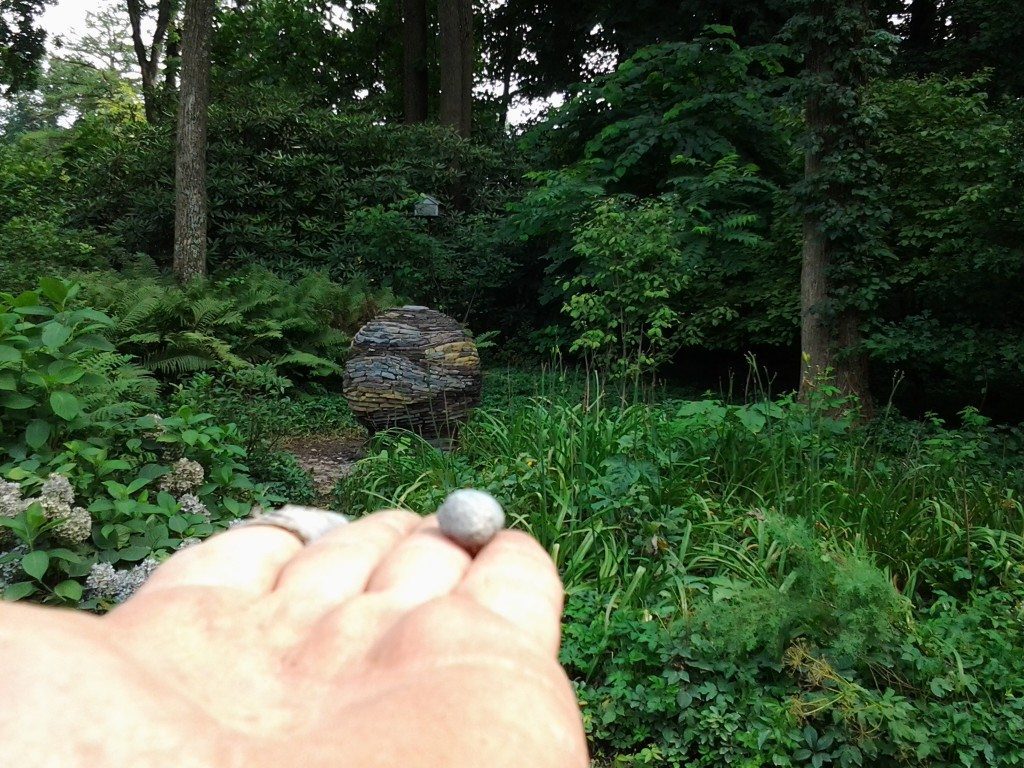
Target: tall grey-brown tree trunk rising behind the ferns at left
{"x": 190, "y": 166}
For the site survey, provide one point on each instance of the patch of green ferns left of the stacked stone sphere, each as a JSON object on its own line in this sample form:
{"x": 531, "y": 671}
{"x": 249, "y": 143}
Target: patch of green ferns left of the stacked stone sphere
{"x": 303, "y": 328}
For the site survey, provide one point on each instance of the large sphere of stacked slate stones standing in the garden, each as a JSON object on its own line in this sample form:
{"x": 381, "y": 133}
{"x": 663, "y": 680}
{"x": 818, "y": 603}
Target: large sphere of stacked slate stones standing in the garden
{"x": 416, "y": 369}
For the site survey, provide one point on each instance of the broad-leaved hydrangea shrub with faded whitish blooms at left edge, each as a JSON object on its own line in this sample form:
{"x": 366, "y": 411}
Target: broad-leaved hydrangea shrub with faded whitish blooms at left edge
{"x": 88, "y": 481}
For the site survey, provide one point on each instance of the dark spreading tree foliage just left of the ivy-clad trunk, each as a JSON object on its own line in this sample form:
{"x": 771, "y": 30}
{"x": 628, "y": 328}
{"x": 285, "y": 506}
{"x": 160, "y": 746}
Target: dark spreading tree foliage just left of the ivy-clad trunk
{"x": 700, "y": 122}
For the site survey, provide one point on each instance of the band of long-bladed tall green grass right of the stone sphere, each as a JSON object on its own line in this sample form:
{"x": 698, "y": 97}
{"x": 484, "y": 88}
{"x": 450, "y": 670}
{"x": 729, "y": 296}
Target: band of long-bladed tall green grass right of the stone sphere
{"x": 655, "y": 503}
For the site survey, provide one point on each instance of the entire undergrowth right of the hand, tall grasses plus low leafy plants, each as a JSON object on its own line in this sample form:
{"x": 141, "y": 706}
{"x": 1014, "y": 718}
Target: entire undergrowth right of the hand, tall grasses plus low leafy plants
{"x": 763, "y": 584}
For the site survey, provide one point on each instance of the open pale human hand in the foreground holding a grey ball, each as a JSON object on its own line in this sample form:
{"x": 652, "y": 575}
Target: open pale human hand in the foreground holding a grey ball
{"x": 380, "y": 645}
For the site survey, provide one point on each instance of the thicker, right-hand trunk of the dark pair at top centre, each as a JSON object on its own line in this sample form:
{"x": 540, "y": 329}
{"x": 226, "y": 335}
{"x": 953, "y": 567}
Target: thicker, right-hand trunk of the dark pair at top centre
{"x": 456, "y": 19}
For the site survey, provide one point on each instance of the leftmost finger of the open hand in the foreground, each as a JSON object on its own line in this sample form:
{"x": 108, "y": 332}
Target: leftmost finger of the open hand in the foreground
{"x": 246, "y": 561}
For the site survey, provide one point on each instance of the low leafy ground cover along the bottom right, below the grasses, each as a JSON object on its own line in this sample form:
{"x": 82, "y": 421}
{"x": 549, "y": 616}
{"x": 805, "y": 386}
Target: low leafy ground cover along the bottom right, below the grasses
{"x": 656, "y": 692}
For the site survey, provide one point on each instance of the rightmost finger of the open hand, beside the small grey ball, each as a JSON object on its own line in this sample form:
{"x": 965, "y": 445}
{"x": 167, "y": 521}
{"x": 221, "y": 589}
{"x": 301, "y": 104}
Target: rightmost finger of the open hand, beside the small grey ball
{"x": 515, "y": 578}
